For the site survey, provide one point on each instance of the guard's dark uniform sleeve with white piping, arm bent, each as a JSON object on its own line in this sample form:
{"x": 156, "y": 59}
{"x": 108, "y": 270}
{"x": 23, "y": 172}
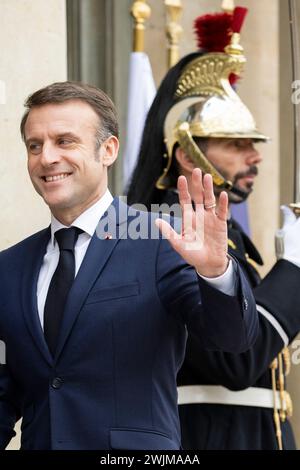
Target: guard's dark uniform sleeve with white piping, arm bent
{"x": 279, "y": 322}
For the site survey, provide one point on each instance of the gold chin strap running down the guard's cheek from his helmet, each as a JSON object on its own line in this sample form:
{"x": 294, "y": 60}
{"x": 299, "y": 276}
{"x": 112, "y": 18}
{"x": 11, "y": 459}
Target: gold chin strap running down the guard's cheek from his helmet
{"x": 187, "y": 143}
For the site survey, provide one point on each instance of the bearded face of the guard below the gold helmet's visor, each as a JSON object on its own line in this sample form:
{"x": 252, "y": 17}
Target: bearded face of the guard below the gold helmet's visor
{"x": 236, "y": 160}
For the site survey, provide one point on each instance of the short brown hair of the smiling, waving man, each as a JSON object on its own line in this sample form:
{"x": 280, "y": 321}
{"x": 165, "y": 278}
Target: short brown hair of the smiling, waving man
{"x": 60, "y": 92}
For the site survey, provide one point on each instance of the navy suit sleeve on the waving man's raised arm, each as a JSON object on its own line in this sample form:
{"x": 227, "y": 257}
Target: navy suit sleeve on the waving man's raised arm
{"x": 219, "y": 321}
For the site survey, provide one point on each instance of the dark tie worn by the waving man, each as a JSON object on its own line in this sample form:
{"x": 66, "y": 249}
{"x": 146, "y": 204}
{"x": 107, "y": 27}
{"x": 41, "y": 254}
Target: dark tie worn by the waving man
{"x": 60, "y": 285}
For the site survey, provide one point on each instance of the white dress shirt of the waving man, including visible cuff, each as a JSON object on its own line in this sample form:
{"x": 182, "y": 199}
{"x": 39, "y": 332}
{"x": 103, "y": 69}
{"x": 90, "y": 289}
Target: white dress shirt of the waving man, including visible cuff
{"x": 87, "y": 222}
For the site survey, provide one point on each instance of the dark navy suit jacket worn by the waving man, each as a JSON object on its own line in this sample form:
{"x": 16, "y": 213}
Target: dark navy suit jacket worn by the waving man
{"x": 112, "y": 383}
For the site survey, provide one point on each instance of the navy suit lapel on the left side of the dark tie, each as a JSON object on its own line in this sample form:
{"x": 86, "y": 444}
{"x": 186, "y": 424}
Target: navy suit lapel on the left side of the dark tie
{"x": 29, "y": 292}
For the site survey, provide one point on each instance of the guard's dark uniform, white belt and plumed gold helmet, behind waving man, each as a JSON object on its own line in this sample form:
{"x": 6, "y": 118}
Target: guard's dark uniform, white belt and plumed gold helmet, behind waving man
{"x": 226, "y": 401}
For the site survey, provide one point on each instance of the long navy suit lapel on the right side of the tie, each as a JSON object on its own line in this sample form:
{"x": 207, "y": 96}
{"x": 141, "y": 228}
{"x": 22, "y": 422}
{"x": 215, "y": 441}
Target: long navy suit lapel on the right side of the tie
{"x": 99, "y": 250}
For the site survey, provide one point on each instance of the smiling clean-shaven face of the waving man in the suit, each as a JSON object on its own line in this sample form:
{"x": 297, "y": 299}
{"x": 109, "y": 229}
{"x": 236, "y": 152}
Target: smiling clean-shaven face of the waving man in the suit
{"x": 65, "y": 165}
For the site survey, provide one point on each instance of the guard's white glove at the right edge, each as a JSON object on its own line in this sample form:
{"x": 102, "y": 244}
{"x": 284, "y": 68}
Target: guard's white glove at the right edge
{"x": 287, "y": 239}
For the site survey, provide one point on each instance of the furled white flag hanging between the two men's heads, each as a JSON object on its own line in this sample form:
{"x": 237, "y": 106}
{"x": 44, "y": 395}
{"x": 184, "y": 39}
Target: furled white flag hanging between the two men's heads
{"x": 141, "y": 92}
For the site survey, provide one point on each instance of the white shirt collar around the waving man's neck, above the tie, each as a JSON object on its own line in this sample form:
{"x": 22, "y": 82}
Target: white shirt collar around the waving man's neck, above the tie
{"x": 88, "y": 220}
